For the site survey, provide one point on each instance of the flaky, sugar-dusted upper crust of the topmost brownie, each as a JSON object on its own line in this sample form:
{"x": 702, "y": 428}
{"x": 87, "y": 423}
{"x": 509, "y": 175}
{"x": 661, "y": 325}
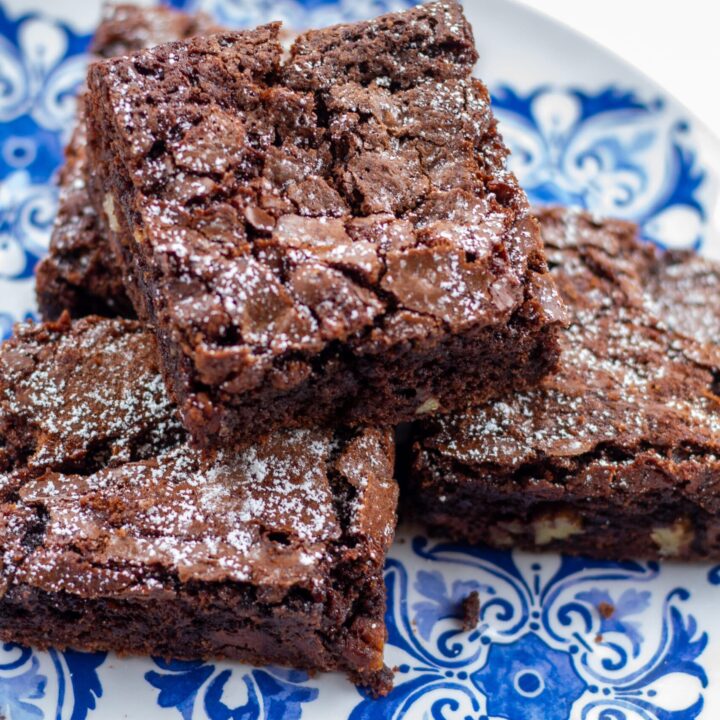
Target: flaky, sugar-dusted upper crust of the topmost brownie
{"x": 219, "y": 176}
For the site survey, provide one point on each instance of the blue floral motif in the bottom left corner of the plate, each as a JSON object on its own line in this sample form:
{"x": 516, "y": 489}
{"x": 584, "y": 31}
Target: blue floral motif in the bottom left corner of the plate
{"x": 59, "y": 685}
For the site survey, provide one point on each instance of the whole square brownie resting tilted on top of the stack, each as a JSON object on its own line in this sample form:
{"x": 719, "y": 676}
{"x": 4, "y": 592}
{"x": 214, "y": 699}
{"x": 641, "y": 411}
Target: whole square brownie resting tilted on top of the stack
{"x": 336, "y": 240}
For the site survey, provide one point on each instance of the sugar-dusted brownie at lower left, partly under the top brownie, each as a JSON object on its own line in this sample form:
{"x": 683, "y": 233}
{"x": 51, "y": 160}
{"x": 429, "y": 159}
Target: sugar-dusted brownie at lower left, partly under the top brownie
{"x": 109, "y": 517}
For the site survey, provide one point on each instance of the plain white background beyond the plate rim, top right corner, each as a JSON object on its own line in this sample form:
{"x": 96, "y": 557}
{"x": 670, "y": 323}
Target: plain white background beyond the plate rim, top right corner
{"x": 675, "y": 43}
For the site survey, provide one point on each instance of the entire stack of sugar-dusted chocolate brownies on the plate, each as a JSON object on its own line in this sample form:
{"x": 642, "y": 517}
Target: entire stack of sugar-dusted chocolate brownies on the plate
{"x": 270, "y": 261}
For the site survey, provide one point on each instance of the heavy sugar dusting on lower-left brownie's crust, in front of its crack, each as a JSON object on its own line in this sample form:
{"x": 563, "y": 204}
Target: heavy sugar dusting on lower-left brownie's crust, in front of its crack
{"x": 236, "y": 517}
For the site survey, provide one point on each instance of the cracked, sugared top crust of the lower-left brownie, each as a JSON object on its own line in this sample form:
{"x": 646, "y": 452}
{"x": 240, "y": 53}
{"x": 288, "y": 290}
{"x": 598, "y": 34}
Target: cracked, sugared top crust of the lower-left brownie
{"x": 91, "y": 452}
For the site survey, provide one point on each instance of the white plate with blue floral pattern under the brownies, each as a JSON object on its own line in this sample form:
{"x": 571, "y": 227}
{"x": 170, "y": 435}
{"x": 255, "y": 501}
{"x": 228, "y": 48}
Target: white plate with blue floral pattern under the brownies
{"x": 585, "y": 129}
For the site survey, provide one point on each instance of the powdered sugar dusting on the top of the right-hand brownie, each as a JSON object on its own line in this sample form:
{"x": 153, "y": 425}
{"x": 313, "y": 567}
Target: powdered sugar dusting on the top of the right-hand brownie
{"x": 625, "y": 381}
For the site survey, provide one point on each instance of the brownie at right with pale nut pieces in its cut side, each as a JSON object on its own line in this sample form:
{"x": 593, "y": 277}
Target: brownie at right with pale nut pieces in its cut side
{"x": 618, "y": 454}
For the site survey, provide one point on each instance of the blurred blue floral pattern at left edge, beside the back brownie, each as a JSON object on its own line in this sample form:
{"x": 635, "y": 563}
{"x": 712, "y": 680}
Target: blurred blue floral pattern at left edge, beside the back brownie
{"x": 42, "y": 62}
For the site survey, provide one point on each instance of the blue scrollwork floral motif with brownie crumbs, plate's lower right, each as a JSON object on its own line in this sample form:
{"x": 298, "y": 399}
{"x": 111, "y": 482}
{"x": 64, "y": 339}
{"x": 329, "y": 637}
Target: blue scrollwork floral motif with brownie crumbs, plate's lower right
{"x": 557, "y": 638}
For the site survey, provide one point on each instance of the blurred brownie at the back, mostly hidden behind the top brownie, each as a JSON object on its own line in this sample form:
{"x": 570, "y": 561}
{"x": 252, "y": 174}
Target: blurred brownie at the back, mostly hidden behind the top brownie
{"x": 80, "y": 273}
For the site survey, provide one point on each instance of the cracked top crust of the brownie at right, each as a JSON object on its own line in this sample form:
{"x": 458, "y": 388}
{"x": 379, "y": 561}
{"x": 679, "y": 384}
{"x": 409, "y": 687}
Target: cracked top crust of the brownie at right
{"x": 630, "y": 384}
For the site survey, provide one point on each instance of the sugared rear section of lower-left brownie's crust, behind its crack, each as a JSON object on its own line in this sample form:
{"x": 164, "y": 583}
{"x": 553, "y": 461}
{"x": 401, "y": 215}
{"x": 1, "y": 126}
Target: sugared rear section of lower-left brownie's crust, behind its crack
{"x": 78, "y": 402}
